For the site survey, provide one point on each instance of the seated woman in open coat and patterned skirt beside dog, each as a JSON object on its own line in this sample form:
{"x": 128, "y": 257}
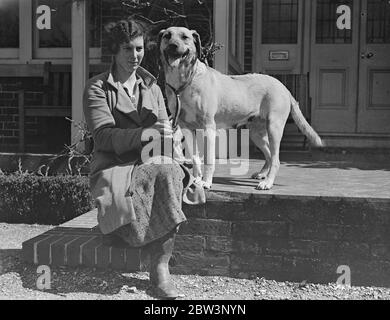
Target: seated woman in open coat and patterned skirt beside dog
{"x": 138, "y": 201}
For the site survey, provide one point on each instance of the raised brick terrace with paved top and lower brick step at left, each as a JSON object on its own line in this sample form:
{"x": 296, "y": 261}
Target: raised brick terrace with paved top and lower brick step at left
{"x": 316, "y": 219}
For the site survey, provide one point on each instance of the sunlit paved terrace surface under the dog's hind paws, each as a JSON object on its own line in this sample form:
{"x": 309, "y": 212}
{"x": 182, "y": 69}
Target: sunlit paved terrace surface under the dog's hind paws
{"x": 312, "y": 178}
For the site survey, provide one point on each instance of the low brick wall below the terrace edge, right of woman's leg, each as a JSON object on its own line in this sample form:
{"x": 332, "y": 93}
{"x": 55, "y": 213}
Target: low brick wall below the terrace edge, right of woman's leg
{"x": 286, "y": 238}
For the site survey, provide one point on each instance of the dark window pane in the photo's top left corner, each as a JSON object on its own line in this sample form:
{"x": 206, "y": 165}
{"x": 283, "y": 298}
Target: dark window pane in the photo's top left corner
{"x": 9, "y": 24}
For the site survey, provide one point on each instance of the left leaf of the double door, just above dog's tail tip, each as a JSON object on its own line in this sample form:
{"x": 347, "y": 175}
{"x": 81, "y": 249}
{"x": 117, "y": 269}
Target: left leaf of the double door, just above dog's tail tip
{"x": 334, "y": 73}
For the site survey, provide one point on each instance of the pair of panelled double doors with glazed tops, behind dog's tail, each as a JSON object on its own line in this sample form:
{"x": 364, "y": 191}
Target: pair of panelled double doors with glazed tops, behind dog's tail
{"x": 350, "y": 68}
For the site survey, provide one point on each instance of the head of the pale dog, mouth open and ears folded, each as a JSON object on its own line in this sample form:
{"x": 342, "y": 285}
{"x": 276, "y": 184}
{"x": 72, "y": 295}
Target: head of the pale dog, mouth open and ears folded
{"x": 178, "y": 45}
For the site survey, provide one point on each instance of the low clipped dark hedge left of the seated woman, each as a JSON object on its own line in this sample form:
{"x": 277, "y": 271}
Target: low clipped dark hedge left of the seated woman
{"x": 30, "y": 198}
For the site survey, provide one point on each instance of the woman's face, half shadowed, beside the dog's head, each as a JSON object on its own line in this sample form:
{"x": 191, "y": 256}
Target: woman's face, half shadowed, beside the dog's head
{"x": 130, "y": 54}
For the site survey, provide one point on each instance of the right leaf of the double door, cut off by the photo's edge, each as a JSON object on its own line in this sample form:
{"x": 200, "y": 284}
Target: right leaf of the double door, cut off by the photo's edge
{"x": 374, "y": 88}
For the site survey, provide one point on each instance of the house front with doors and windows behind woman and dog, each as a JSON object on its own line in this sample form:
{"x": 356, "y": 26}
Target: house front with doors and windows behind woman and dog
{"x": 334, "y": 55}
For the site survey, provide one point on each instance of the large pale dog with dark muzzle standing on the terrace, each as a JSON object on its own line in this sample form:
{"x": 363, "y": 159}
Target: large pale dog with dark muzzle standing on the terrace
{"x": 210, "y": 100}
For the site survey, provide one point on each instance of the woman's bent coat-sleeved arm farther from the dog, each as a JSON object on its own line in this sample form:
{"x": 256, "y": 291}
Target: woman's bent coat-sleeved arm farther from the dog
{"x": 102, "y": 124}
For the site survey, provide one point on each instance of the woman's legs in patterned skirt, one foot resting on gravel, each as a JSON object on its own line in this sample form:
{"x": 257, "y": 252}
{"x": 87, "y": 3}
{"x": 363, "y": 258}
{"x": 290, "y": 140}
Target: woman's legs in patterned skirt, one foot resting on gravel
{"x": 157, "y": 195}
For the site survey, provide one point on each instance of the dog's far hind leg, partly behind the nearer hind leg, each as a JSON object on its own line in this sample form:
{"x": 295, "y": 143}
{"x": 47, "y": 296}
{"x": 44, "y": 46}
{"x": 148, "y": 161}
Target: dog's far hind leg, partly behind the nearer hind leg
{"x": 258, "y": 134}
